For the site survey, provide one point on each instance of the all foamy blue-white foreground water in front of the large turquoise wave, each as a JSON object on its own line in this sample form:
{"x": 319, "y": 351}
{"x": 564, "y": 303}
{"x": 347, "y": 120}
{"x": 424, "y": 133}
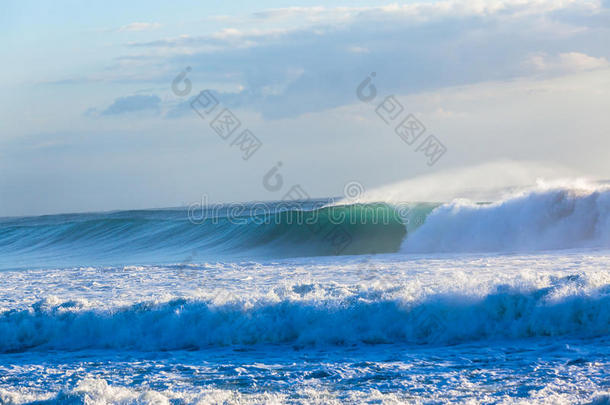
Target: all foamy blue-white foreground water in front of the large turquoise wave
{"x": 529, "y": 328}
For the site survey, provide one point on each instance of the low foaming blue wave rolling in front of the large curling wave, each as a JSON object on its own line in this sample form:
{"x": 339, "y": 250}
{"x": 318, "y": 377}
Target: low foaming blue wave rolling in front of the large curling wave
{"x": 565, "y": 309}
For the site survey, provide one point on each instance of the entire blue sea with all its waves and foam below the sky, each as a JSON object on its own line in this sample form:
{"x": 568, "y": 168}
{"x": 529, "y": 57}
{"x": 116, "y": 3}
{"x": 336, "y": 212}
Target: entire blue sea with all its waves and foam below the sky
{"x": 503, "y": 301}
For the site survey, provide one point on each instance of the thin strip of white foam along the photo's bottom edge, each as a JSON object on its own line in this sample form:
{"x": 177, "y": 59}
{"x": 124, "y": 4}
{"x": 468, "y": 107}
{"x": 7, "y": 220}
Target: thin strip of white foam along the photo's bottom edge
{"x": 98, "y": 391}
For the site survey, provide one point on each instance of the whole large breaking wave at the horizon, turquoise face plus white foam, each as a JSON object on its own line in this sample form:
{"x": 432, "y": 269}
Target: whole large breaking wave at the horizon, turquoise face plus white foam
{"x": 540, "y": 219}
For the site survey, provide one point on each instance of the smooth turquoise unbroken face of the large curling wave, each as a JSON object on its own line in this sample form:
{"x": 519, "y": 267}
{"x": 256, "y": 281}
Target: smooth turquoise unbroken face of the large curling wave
{"x": 308, "y": 228}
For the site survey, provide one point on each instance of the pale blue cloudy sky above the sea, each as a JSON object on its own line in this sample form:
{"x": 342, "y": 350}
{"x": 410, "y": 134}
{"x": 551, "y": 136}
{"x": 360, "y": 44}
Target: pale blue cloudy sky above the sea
{"x": 89, "y": 120}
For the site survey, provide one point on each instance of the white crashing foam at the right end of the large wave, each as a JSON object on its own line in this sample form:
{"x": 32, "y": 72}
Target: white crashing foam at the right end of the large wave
{"x": 543, "y": 219}
